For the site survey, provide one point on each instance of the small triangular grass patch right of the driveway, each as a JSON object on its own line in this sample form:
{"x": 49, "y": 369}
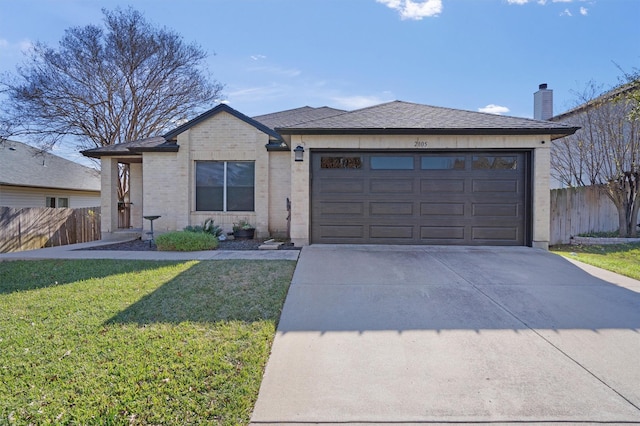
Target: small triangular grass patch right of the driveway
{"x": 623, "y": 259}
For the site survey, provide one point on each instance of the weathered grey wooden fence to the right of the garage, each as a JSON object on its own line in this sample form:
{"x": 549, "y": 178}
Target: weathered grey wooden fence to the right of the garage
{"x": 580, "y": 210}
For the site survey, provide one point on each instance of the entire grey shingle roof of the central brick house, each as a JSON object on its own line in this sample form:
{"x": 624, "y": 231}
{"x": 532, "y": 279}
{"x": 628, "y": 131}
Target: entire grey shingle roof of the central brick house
{"x": 395, "y": 117}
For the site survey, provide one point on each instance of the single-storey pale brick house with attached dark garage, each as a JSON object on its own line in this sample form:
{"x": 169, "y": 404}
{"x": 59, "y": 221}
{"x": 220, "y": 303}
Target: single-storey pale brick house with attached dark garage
{"x": 394, "y": 173}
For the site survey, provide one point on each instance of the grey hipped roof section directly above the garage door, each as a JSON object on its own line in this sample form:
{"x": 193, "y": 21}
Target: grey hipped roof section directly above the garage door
{"x": 400, "y": 117}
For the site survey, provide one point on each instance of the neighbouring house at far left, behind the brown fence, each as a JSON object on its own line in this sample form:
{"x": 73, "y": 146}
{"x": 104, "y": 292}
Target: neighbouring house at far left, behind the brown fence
{"x": 30, "y": 177}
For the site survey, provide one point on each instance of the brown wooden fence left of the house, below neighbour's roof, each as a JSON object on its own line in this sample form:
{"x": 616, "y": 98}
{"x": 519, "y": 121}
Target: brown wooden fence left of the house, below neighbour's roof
{"x": 33, "y": 228}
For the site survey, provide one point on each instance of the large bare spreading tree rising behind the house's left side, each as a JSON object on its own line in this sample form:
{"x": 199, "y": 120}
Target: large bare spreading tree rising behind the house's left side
{"x": 104, "y": 85}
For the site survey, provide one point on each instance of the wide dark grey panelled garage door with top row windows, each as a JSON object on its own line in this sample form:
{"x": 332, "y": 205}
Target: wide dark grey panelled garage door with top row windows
{"x": 469, "y": 198}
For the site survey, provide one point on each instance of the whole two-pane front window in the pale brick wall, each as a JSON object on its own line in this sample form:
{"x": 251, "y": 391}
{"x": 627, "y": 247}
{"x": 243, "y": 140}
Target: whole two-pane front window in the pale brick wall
{"x": 225, "y": 186}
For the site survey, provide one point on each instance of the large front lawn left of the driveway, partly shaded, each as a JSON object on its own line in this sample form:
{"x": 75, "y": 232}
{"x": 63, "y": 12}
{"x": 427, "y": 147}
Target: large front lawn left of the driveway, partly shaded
{"x": 133, "y": 342}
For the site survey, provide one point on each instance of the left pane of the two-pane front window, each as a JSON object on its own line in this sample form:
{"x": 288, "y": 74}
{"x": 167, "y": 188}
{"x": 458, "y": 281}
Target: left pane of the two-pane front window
{"x": 209, "y": 185}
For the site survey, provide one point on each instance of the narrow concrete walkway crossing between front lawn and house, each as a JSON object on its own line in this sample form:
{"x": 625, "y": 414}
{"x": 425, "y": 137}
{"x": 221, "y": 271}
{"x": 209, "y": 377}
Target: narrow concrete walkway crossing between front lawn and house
{"x": 74, "y": 251}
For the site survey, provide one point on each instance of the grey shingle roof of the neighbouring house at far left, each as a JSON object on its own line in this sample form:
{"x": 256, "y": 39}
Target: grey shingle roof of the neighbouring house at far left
{"x": 24, "y": 165}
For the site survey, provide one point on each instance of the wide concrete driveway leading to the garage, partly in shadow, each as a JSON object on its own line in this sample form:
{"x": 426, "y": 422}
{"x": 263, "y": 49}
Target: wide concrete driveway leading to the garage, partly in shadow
{"x": 376, "y": 335}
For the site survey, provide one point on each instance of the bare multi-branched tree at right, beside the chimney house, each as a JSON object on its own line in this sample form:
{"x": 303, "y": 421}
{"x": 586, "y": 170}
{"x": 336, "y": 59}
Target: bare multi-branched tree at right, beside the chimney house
{"x": 605, "y": 152}
